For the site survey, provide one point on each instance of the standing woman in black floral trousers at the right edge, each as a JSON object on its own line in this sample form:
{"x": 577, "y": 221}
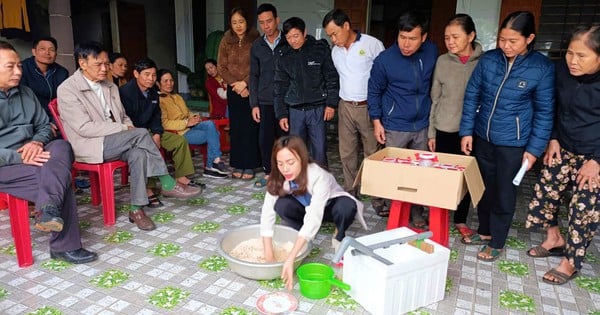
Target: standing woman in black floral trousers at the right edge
{"x": 572, "y": 159}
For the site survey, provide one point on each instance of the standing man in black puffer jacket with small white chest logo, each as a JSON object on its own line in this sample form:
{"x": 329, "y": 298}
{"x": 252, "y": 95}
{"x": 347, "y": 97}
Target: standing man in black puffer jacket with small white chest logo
{"x": 306, "y": 87}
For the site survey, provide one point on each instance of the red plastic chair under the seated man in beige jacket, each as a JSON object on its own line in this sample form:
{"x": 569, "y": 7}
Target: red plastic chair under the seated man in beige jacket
{"x": 101, "y": 175}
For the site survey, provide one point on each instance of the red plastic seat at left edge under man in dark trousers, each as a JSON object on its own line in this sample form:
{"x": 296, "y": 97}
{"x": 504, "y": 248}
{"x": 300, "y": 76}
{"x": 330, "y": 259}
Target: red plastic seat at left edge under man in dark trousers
{"x": 18, "y": 211}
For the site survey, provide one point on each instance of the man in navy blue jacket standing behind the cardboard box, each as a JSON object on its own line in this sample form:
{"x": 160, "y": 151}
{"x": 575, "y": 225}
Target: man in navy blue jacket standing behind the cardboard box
{"x": 398, "y": 94}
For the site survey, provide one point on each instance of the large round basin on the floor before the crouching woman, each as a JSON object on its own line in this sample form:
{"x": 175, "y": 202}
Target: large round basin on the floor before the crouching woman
{"x": 258, "y": 271}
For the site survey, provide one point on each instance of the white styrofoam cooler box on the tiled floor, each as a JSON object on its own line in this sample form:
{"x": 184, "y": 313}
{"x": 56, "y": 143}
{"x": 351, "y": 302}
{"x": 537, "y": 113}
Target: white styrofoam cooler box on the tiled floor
{"x": 415, "y": 279}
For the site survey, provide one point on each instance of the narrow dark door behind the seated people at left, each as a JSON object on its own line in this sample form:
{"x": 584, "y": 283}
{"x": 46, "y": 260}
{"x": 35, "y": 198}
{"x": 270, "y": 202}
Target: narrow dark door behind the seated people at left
{"x": 132, "y": 33}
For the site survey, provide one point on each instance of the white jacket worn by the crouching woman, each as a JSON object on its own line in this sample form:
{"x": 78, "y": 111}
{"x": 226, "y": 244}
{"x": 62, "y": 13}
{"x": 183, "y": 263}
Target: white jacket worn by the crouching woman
{"x": 322, "y": 187}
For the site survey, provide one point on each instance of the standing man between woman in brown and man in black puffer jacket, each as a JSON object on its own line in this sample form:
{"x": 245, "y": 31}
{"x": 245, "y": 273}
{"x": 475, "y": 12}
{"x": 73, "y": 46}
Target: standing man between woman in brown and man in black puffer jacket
{"x": 262, "y": 70}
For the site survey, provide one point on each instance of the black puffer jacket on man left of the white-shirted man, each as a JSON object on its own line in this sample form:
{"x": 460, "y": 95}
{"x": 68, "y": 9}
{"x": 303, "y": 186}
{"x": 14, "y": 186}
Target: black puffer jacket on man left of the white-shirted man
{"x": 305, "y": 77}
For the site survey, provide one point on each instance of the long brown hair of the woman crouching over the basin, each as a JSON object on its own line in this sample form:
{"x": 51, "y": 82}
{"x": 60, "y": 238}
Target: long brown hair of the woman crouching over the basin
{"x": 298, "y": 148}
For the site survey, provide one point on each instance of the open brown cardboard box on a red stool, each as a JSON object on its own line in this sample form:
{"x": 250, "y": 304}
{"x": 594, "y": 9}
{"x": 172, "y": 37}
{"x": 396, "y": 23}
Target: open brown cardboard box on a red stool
{"x": 428, "y": 186}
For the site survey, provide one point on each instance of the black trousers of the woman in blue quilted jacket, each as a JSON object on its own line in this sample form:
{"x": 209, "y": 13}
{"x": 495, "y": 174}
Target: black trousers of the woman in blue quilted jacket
{"x": 498, "y": 166}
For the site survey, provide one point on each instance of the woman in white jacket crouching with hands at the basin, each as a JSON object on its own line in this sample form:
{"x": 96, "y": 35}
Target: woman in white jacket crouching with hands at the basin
{"x": 304, "y": 195}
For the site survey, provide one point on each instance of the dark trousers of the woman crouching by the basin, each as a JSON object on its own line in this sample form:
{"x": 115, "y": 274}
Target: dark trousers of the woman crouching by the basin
{"x": 340, "y": 210}
